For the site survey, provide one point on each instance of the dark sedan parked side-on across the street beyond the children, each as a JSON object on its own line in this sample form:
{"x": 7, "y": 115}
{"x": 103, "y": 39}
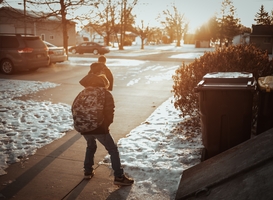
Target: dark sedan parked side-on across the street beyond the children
{"x": 89, "y": 47}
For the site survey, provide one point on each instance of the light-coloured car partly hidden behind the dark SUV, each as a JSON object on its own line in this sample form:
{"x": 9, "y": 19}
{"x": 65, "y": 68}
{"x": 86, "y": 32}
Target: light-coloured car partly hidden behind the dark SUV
{"x": 56, "y": 54}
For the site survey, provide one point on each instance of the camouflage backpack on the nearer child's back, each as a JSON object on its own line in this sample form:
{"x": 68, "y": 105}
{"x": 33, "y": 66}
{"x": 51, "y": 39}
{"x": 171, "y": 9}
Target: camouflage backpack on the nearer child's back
{"x": 87, "y": 109}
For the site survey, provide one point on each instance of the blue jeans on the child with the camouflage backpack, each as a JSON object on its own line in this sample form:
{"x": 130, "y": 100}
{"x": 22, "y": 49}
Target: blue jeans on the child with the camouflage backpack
{"x": 107, "y": 141}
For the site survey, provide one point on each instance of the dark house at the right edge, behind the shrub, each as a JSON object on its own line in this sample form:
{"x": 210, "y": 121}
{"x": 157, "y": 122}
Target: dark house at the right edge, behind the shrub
{"x": 262, "y": 37}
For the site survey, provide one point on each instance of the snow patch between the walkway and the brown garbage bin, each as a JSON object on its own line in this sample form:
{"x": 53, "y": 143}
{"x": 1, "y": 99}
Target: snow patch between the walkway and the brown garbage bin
{"x": 157, "y": 152}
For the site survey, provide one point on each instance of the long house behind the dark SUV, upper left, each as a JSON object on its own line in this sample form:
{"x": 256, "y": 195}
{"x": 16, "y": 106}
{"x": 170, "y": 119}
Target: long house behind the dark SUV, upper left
{"x": 49, "y": 29}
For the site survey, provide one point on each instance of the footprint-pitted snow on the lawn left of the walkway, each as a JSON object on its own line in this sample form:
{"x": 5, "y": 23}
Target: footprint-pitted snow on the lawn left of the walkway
{"x": 26, "y": 126}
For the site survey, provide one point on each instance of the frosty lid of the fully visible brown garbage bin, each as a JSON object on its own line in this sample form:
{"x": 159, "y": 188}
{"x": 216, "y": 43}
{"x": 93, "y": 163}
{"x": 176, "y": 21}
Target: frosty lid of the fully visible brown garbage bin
{"x": 227, "y": 81}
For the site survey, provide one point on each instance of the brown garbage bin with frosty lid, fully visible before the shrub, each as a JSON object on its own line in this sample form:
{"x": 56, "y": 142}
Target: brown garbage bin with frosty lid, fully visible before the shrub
{"x": 225, "y": 103}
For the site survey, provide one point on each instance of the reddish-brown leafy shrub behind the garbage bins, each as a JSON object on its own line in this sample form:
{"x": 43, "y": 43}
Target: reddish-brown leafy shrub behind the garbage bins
{"x": 240, "y": 58}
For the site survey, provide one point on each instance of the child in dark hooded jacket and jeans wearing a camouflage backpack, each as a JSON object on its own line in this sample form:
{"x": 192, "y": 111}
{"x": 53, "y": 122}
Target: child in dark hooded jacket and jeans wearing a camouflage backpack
{"x": 101, "y": 96}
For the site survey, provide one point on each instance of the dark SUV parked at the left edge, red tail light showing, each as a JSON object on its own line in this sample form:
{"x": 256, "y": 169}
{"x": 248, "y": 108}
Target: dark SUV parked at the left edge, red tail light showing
{"x": 19, "y": 53}
